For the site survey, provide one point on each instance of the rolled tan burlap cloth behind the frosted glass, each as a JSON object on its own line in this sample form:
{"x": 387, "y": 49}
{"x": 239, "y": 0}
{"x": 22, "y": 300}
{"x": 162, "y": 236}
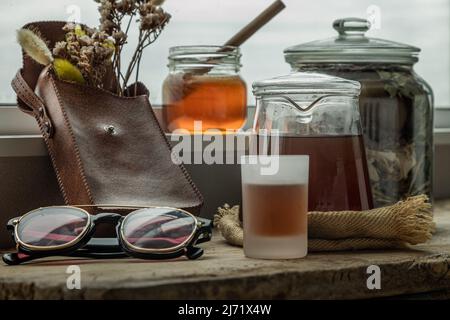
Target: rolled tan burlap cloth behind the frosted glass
{"x": 405, "y": 223}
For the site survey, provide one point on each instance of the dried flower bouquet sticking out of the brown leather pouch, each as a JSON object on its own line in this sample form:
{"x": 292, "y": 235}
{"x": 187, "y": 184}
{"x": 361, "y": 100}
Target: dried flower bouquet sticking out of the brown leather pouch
{"x": 88, "y": 55}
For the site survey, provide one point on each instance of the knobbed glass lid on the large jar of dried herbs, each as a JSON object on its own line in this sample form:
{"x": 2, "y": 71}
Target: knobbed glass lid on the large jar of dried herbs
{"x": 351, "y": 46}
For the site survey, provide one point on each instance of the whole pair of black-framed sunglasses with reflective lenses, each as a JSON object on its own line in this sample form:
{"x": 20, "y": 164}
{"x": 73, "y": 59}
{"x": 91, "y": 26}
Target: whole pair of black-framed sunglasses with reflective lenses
{"x": 145, "y": 233}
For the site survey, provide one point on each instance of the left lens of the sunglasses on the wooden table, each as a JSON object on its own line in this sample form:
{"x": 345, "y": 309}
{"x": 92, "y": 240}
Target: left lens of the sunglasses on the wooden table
{"x": 55, "y": 226}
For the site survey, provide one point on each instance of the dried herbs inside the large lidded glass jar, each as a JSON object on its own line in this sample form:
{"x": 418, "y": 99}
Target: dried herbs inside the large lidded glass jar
{"x": 400, "y": 159}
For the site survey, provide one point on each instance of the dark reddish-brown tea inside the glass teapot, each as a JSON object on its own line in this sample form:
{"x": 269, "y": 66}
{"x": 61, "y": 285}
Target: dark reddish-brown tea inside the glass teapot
{"x": 338, "y": 177}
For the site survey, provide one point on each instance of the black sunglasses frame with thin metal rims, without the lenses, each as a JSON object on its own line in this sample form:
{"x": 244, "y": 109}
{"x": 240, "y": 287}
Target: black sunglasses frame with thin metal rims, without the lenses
{"x": 80, "y": 247}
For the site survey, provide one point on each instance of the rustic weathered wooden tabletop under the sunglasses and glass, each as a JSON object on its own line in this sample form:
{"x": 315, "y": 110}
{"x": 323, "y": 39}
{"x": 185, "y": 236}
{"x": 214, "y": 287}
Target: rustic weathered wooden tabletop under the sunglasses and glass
{"x": 224, "y": 273}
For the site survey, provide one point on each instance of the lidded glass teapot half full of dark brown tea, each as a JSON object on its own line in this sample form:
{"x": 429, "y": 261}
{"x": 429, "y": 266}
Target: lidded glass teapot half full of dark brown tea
{"x": 316, "y": 115}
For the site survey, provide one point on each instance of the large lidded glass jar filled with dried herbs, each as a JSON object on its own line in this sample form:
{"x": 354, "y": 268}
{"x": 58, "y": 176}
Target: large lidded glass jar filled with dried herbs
{"x": 396, "y": 105}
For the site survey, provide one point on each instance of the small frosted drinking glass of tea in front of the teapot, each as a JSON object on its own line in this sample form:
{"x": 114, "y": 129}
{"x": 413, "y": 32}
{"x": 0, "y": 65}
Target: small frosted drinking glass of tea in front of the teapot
{"x": 275, "y": 206}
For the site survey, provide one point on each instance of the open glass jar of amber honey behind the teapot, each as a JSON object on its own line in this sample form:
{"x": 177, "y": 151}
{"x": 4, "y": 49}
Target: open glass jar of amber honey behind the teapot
{"x": 204, "y": 90}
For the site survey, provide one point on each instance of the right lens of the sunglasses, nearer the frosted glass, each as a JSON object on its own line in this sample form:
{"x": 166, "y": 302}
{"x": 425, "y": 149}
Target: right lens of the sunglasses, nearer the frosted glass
{"x": 158, "y": 228}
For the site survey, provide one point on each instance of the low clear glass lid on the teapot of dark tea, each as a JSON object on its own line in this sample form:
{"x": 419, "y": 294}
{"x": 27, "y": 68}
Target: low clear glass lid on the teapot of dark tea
{"x": 306, "y": 83}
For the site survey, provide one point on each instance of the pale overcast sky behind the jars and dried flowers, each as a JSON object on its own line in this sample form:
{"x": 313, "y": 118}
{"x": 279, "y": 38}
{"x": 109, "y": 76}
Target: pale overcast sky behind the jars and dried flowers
{"x": 417, "y": 22}
